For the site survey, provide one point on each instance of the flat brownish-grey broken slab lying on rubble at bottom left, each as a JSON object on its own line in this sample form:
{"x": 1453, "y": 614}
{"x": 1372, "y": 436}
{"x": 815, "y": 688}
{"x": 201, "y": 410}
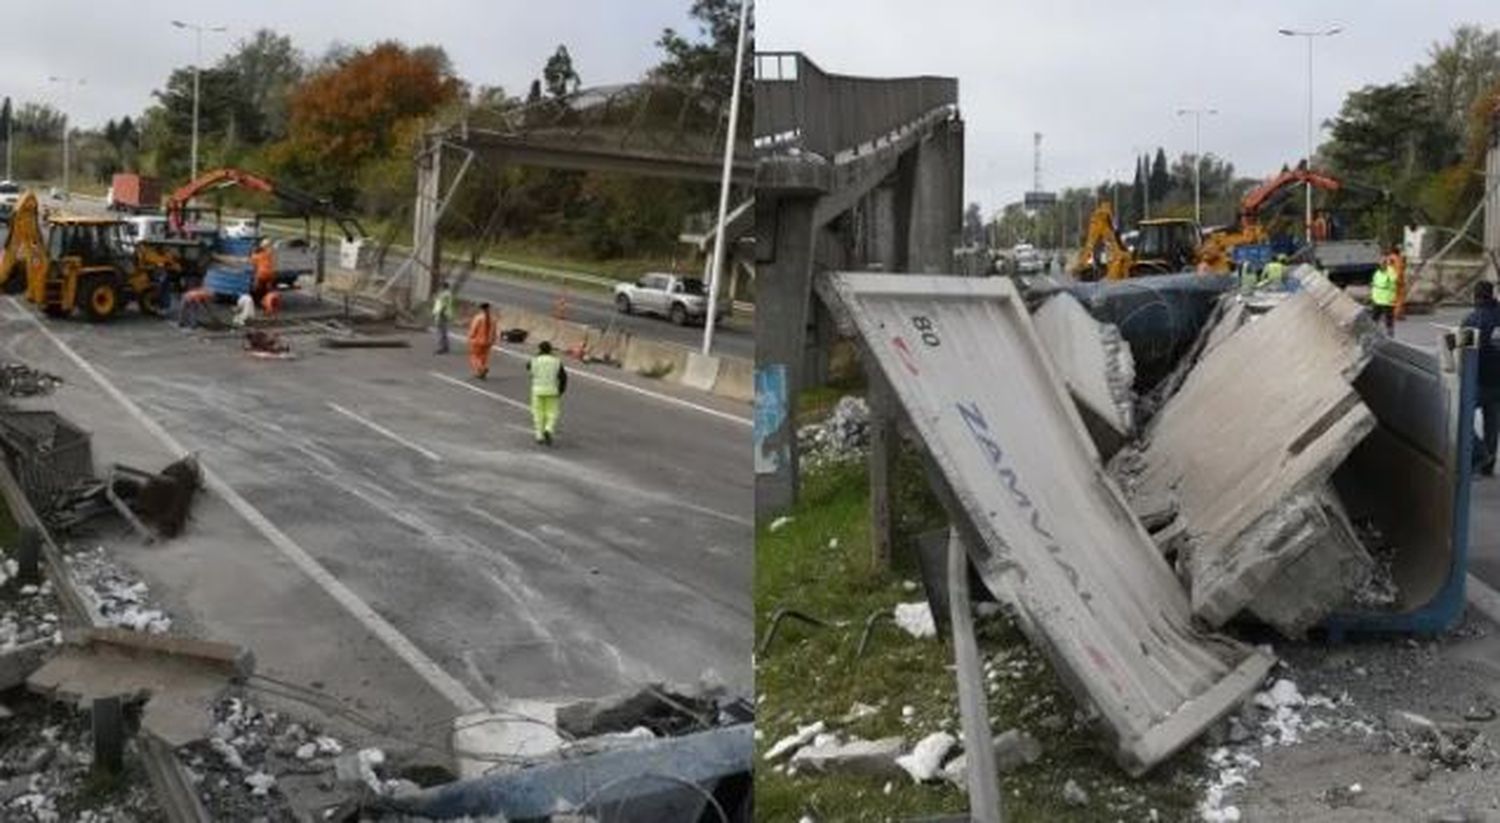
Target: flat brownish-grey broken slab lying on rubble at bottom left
{"x": 179, "y": 678}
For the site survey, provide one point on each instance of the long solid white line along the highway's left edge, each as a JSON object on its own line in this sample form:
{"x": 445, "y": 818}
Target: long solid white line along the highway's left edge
{"x": 442, "y": 683}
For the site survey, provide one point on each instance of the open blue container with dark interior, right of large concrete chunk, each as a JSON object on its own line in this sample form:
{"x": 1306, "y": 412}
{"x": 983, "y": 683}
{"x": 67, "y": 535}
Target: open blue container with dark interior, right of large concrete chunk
{"x": 1412, "y": 476}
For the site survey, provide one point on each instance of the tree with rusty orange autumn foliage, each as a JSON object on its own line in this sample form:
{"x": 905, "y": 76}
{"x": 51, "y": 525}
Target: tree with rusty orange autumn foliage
{"x": 359, "y": 112}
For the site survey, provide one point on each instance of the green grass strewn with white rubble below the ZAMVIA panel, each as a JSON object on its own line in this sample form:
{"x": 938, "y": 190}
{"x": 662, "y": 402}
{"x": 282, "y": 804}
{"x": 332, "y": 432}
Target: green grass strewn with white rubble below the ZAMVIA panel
{"x": 820, "y": 564}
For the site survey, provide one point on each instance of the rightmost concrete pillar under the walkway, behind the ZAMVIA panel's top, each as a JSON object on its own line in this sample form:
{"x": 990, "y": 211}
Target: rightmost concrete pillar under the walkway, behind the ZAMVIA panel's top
{"x": 935, "y": 217}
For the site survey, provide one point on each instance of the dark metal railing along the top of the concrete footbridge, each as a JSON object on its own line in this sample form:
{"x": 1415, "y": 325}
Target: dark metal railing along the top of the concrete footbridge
{"x": 799, "y": 106}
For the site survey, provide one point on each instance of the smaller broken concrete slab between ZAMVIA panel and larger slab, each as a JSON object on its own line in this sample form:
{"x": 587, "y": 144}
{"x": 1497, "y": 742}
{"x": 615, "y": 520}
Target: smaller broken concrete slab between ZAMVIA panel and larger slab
{"x": 1096, "y": 365}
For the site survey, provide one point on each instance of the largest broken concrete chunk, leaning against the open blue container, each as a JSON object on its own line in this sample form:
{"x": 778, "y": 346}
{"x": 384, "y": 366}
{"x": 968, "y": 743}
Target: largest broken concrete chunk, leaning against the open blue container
{"x": 1261, "y": 423}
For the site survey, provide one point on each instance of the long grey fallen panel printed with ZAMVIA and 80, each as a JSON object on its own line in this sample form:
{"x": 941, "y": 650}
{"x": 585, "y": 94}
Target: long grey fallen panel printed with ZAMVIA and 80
{"x": 1049, "y": 531}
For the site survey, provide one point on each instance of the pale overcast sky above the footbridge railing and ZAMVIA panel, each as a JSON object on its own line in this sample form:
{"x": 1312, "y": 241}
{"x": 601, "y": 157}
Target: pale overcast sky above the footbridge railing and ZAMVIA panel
{"x": 1103, "y": 80}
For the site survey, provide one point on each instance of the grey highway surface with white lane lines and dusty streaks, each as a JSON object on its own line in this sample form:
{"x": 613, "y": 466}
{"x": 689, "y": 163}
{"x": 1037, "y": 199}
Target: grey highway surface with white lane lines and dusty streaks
{"x": 382, "y": 527}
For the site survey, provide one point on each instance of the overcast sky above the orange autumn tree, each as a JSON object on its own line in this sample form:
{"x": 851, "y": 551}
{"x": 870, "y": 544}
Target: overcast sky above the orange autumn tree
{"x": 127, "y": 50}
